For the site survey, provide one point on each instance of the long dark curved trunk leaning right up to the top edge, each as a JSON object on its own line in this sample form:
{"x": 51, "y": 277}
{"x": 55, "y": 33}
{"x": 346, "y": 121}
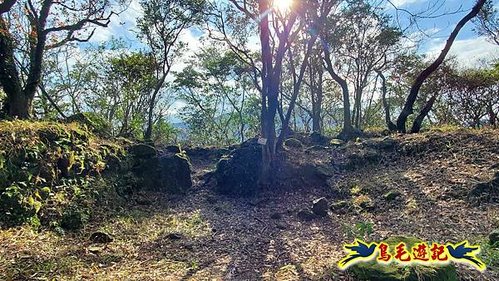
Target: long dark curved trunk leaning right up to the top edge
{"x": 413, "y": 94}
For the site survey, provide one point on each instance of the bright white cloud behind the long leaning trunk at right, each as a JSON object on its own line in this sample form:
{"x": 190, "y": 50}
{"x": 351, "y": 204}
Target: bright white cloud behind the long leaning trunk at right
{"x": 469, "y": 52}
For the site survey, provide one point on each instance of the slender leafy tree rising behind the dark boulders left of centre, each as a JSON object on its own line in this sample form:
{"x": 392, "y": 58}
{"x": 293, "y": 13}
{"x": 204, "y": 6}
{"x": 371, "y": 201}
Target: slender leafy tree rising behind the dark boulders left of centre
{"x": 160, "y": 27}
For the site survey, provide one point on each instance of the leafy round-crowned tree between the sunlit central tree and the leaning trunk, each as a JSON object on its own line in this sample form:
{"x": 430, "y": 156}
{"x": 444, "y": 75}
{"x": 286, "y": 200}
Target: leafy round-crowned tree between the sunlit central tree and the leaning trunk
{"x": 360, "y": 44}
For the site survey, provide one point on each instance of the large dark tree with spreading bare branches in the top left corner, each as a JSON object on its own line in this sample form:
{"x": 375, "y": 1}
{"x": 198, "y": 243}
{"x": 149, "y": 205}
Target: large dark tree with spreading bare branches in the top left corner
{"x": 30, "y": 28}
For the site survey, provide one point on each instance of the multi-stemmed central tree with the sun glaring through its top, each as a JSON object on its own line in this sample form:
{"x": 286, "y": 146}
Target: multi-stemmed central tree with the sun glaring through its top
{"x": 279, "y": 30}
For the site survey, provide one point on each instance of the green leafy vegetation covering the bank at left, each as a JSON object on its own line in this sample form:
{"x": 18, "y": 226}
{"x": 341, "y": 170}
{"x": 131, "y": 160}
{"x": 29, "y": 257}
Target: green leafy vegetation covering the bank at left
{"x": 50, "y": 172}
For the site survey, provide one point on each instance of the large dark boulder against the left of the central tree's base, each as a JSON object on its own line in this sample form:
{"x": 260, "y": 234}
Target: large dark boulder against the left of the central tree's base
{"x": 238, "y": 173}
